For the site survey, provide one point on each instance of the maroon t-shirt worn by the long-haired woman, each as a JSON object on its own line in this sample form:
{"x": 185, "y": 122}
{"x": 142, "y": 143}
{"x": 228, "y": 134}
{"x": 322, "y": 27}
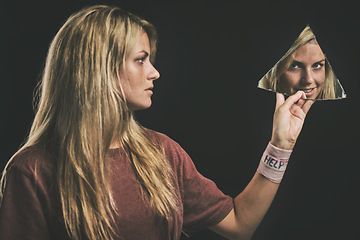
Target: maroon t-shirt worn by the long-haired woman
{"x": 31, "y": 209}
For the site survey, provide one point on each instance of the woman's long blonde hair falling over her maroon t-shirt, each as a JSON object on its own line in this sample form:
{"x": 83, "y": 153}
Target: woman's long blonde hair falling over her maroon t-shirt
{"x": 82, "y": 110}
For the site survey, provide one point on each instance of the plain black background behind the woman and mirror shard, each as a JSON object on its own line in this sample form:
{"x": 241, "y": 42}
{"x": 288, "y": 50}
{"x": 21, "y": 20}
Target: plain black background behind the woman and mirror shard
{"x": 211, "y": 56}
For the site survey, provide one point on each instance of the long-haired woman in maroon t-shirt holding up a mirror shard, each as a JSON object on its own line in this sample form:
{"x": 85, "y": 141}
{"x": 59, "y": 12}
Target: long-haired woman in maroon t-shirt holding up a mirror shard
{"x": 88, "y": 170}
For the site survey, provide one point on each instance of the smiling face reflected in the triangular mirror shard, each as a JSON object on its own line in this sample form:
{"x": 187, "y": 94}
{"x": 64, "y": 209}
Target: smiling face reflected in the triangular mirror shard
{"x": 306, "y": 72}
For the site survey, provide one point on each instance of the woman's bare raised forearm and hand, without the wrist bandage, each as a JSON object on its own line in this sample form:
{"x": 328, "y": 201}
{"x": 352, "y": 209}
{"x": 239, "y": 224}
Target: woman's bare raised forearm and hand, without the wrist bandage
{"x": 251, "y": 205}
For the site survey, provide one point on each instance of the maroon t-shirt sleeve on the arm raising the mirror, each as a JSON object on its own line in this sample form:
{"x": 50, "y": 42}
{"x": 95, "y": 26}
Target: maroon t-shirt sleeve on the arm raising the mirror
{"x": 204, "y": 205}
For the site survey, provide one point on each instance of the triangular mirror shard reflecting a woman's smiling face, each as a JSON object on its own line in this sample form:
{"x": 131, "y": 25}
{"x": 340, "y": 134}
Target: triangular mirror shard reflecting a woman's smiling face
{"x": 304, "y": 67}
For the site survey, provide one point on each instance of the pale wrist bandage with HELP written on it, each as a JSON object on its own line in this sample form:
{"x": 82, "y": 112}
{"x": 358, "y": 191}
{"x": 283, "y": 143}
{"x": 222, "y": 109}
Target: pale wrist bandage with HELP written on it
{"x": 273, "y": 163}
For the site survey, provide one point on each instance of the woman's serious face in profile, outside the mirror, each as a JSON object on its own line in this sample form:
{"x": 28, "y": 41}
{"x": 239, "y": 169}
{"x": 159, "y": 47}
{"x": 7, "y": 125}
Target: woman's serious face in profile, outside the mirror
{"x": 137, "y": 77}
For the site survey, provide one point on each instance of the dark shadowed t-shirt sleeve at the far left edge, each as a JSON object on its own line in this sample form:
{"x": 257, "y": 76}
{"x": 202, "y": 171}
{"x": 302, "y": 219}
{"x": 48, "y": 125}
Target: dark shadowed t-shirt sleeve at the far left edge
{"x": 21, "y": 212}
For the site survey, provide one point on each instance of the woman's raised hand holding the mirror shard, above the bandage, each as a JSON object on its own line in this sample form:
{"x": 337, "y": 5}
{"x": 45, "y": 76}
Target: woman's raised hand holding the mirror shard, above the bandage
{"x": 289, "y": 118}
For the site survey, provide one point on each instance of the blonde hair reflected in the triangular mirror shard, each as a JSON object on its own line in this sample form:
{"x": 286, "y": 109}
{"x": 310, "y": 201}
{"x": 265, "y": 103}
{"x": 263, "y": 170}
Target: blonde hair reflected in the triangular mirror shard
{"x": 331, "y": 87}
